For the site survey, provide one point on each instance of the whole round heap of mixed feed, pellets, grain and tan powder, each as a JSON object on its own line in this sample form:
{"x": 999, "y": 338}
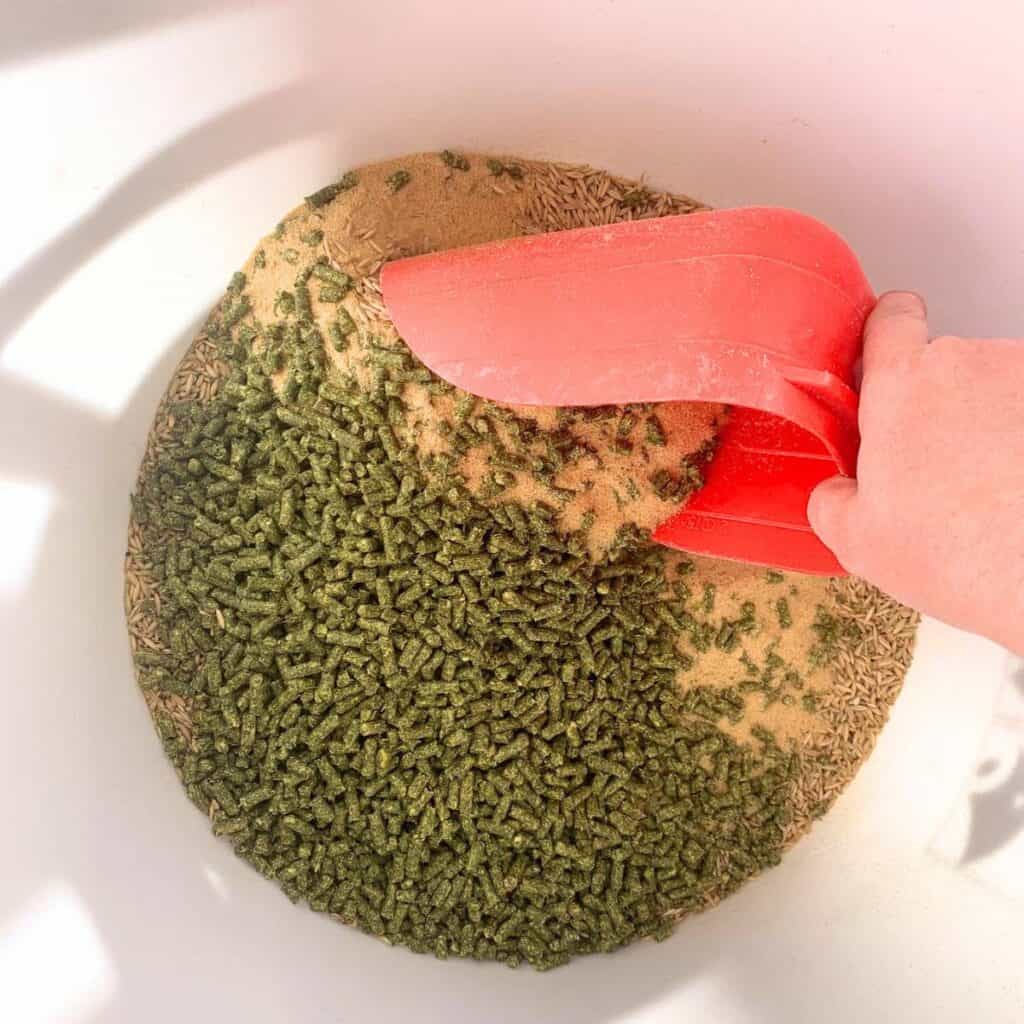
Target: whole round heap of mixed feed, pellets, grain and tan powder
{"x": 413, "y": 653}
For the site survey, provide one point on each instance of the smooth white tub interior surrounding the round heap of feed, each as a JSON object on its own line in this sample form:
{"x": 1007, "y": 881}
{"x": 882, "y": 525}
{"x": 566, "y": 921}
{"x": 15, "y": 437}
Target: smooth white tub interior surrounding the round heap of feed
{"x": 148, "y": 145}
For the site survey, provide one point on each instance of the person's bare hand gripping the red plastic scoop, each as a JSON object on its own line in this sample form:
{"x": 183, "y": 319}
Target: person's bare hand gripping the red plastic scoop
{"x": 936, "y": 516}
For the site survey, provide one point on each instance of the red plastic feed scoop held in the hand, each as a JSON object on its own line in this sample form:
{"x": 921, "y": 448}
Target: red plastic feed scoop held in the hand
{"x": 760, "y": 309}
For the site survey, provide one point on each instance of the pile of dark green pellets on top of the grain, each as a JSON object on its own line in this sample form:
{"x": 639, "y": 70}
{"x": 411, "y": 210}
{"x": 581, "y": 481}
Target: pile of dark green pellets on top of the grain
{"x": 432, "y": 716}
